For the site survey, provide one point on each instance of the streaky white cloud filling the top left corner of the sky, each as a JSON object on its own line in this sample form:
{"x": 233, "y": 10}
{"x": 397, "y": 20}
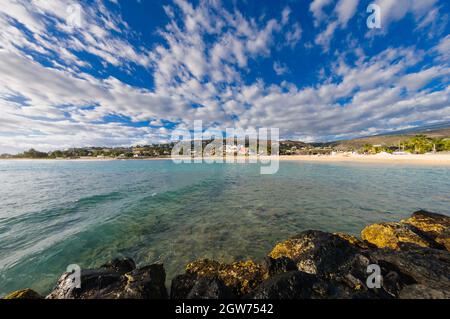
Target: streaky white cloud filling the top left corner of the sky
{"x": 94, "y": 35}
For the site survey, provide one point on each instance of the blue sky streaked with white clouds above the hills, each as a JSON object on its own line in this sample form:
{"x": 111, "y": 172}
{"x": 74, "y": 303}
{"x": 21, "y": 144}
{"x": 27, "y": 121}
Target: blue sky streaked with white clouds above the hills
{"x": 116, "y": 72}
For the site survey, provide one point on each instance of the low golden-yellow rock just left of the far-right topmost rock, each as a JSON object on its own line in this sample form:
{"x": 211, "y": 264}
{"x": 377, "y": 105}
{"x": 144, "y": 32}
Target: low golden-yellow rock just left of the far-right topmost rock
{"x": 391, "y": 235}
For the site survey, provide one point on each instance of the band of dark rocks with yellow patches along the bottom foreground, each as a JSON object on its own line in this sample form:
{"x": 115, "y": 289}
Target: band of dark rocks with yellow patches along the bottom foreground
{"x": 413, "y": 257}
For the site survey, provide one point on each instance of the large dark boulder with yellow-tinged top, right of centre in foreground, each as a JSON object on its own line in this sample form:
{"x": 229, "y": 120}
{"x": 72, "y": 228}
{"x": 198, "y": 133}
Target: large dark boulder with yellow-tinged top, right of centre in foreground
{"x": 341, "y": 265}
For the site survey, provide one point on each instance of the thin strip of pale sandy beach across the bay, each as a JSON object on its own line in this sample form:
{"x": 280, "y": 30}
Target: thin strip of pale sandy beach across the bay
{"x": 421, "y": 159}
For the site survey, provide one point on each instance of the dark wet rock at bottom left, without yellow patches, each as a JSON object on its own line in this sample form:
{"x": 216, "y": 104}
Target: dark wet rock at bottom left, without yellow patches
{"x": 105, "y": 283}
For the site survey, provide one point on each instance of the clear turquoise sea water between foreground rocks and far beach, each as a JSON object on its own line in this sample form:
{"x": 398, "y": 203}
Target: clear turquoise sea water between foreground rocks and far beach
{"x": 56, "y": 213}
